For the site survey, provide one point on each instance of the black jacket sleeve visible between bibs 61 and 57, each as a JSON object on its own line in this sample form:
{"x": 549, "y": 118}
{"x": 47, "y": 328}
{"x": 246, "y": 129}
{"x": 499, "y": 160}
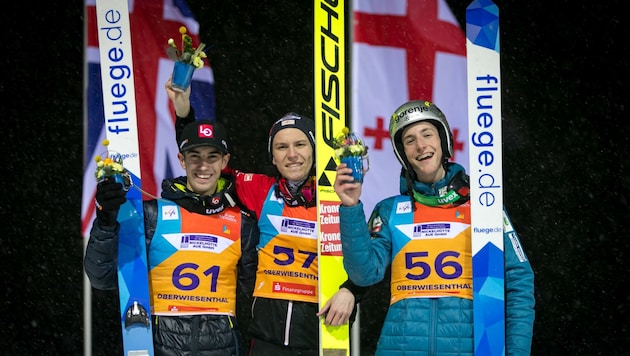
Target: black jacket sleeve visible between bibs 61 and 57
{"x": 248, "y": 263}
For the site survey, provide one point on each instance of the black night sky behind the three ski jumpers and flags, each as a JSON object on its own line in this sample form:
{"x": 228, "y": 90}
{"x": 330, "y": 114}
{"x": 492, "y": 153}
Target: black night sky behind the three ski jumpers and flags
{"x": 566, "y": 76}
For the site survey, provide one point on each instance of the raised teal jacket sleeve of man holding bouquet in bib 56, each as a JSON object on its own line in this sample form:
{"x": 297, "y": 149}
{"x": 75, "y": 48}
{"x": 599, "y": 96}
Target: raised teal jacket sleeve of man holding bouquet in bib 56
{"x": 366, "y": 254}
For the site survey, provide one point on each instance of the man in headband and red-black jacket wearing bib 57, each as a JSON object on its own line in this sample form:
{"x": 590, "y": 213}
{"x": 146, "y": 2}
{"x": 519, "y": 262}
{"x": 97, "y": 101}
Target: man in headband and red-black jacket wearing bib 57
{"x": 285, "y": 311}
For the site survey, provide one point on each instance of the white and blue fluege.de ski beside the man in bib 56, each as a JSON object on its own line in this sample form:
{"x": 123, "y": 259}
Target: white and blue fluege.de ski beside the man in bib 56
{"x": 486, "y": 175}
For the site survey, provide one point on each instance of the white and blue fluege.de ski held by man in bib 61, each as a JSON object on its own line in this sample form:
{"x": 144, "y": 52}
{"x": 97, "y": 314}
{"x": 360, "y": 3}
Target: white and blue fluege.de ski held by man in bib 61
{"x": 119, "y": 106}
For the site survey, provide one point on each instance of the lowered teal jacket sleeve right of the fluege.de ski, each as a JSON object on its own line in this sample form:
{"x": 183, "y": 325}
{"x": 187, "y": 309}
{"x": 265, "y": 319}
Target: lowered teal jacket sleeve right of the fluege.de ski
{"x": 519, "y": 294}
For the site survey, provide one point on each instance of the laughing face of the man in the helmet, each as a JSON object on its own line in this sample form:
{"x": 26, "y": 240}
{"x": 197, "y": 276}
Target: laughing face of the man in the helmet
{"x": 423, "y": 151}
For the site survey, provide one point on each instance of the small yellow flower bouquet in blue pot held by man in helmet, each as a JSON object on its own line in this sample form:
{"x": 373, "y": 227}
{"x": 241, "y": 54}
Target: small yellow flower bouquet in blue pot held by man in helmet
{"x": 349, "y": 149}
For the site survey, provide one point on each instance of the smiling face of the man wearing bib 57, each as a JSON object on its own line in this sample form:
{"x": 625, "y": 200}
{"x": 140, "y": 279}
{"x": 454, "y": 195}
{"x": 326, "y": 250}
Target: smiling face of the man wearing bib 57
{"x": 292, "y": 154}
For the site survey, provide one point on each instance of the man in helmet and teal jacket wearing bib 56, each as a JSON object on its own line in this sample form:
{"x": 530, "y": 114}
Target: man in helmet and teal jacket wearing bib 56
{"x": 424, "y": 234}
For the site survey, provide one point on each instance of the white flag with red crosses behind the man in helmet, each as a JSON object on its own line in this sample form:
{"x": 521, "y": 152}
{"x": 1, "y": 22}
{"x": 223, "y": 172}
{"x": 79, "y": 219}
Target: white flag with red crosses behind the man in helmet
{"x": 404, "y": 50}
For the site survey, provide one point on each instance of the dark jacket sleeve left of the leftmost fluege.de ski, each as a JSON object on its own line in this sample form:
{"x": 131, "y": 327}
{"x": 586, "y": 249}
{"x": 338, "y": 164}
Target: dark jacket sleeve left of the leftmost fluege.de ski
{"x": 101, "y": 254}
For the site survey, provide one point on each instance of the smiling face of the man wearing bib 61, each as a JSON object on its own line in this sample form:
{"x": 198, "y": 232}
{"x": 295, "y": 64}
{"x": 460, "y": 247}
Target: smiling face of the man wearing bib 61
{"x": 203, "y": 167}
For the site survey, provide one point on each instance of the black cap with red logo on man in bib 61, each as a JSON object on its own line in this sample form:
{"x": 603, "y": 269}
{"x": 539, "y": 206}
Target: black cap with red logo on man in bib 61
{"x": 203, "y": 133}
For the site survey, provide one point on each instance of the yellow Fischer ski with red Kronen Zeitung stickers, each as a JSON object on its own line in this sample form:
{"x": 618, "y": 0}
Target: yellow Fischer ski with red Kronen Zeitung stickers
{"x": 330, "y": 118}
